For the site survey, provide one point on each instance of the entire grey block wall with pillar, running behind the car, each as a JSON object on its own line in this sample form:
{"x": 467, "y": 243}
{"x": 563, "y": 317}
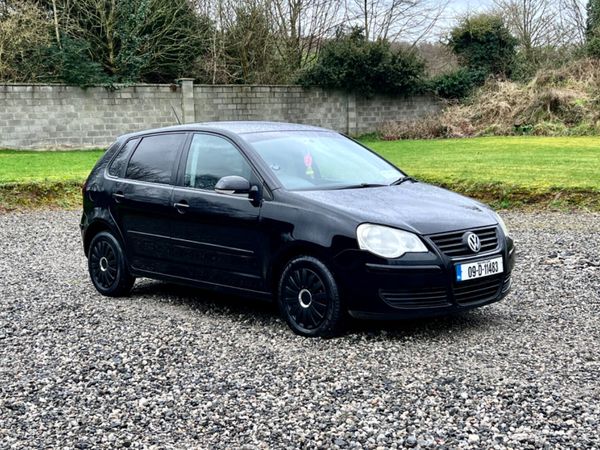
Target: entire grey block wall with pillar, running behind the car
{"x": 57, "y": 116}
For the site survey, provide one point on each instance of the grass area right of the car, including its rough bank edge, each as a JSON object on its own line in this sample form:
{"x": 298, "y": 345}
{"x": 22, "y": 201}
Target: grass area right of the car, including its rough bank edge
{"x": 506, "y": 172}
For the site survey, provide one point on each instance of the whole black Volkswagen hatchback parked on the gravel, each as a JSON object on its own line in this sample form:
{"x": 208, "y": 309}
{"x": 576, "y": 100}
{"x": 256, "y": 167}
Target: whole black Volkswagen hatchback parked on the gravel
{"x": 301, "y": 214}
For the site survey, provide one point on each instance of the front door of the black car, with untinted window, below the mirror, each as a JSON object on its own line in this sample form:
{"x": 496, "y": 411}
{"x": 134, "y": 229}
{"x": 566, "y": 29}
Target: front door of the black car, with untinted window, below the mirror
{"x": 216, "y": 236}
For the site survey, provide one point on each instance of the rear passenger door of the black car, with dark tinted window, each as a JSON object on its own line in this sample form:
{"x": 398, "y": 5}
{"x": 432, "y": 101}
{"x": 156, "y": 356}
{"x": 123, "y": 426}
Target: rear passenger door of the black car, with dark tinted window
{"x": 141, "y": 200}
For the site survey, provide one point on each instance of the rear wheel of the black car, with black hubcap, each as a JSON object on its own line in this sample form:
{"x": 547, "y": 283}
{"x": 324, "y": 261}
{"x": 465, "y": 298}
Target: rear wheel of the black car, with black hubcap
{"x": 107, "y": 267}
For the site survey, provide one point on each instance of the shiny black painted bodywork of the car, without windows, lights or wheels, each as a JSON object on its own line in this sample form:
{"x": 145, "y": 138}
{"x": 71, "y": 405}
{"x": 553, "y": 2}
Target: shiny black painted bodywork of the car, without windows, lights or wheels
{"x": 240, "y": 245}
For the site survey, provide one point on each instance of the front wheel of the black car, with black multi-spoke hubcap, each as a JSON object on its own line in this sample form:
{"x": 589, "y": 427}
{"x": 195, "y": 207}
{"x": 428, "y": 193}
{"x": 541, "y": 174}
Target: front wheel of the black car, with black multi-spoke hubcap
{"x": 309, "y": 300}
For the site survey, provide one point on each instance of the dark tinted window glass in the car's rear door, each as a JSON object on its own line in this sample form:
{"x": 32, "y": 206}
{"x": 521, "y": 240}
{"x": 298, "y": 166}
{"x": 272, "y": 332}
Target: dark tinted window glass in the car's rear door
{"x": 154, "y": 158}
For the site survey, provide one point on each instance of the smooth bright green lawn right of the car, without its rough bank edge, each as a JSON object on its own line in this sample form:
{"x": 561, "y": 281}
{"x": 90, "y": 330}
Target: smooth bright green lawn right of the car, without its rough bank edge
{"x": 527, "y": 162}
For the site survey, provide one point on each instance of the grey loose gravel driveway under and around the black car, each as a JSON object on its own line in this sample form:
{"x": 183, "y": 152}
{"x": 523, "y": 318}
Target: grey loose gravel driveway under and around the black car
{"x": 172, "y": 367}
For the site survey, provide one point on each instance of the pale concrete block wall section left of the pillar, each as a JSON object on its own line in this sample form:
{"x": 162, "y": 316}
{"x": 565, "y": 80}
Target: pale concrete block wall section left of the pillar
{"x": 56, "y": 116}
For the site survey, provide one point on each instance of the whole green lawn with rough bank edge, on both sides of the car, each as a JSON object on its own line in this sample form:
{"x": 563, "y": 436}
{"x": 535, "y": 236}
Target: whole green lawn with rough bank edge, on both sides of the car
{"x": 503, "y": 171}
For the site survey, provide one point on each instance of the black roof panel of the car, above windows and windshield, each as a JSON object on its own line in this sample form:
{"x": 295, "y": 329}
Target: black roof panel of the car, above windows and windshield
{"x": 236, "y": 127}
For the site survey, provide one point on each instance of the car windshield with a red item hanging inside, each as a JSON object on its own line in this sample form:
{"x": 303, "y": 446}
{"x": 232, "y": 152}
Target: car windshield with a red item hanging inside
{"x": 314, "y": 160}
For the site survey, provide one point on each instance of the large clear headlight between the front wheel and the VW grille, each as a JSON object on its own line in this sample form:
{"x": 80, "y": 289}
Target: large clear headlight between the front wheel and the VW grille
{"x": 388, "y": 242}
